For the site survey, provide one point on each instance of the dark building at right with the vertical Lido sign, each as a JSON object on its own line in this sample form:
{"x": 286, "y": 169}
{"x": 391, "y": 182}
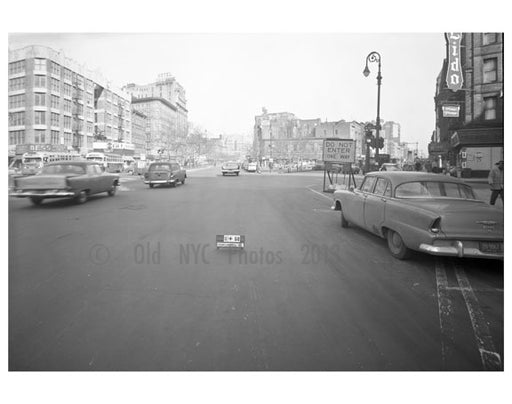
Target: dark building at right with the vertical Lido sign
{"x": 469, "y": 121}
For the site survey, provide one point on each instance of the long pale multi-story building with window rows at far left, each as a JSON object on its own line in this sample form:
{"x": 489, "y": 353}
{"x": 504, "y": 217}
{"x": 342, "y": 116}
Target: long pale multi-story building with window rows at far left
{"x": 57, "y": 104}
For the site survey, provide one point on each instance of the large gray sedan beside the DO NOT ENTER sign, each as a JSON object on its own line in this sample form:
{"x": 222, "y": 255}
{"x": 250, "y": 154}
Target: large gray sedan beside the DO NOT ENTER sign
{"x": 431, "y": 213}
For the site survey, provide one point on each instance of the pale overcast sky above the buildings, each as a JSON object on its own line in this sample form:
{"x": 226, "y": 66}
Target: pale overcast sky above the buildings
{"x": 228, "y": 78}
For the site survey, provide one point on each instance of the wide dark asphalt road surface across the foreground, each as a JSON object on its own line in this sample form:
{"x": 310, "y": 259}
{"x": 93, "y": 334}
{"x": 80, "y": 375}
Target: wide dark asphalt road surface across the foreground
{"x": 134, "y": 282}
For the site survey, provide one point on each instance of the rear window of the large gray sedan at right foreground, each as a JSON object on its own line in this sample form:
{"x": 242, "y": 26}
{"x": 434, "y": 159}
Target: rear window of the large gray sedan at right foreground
{"x": 434, "y": 190}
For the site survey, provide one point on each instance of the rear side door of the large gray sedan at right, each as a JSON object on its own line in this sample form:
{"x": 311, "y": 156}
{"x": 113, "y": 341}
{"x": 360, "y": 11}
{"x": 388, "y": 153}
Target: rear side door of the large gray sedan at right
{"x": 375, "y": 205}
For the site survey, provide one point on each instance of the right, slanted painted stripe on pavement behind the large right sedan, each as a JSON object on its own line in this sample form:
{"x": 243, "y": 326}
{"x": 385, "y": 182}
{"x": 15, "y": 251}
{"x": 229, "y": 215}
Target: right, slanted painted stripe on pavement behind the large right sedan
{"x": 490, "y": 358}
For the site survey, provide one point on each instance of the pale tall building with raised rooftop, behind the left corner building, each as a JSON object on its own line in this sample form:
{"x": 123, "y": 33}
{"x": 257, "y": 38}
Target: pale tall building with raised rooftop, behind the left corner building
{"x": 165, "y": 105}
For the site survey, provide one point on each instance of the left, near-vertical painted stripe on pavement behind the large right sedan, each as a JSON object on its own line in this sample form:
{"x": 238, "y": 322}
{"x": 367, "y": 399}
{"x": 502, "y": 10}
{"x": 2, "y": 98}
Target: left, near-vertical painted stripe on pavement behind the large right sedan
{"x": 445, "y": 313}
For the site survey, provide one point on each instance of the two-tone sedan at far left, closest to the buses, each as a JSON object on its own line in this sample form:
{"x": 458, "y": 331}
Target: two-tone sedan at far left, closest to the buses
{"x": 67, "y": 179}
